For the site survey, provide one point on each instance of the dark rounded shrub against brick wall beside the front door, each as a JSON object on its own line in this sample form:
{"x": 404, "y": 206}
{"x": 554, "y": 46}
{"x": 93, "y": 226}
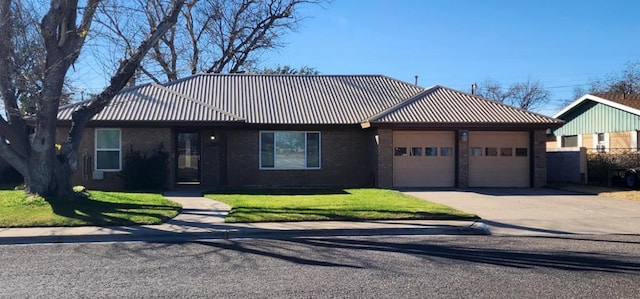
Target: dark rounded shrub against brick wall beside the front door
{"x": 145, "y": 171}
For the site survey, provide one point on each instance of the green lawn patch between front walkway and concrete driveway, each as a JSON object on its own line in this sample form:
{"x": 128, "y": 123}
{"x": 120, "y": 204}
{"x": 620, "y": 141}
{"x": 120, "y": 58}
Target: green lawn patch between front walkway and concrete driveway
{"x": 330, "y": 204}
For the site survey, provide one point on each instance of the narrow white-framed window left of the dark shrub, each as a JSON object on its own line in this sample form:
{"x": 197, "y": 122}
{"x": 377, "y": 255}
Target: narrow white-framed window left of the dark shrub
{"x": 108, "y": 149}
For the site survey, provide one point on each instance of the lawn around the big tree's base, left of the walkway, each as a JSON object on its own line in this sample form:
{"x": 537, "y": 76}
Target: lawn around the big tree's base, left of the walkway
{"x": 101, "y": 209}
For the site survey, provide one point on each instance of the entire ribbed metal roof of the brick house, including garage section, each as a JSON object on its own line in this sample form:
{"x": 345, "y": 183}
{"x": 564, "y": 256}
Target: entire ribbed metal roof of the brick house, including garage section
{"x": 302, "y": 99}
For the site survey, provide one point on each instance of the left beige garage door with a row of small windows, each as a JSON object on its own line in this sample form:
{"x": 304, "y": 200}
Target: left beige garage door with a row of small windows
{"x": 423, "y": 159}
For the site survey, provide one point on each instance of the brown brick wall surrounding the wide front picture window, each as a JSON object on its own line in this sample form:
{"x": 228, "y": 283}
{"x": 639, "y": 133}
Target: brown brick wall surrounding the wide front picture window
{"x": 345, "y": 161}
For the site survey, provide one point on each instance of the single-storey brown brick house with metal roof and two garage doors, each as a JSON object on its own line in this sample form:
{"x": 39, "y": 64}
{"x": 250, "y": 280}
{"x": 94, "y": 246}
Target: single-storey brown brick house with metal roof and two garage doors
{"x": 293, "y": 130}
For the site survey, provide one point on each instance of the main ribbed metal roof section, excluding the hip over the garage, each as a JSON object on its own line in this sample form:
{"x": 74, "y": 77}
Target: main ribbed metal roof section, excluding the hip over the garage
{"x": 259, "y": 99}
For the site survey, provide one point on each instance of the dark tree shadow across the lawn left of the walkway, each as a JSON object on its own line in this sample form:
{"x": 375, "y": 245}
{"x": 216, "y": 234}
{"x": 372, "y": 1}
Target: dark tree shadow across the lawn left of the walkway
{"x": 100, "y": 213}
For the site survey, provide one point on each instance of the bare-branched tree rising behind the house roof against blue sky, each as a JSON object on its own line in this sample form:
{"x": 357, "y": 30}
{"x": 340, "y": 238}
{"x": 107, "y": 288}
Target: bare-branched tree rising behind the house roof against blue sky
{"x": 214, "y": 36}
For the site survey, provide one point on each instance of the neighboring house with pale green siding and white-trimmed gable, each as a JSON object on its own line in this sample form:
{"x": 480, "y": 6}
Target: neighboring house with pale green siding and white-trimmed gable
{"x": 600, "y": 123}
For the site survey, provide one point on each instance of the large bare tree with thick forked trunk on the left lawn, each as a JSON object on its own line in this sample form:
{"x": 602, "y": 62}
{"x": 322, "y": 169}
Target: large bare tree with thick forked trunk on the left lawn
{"x": 29, "y": 148}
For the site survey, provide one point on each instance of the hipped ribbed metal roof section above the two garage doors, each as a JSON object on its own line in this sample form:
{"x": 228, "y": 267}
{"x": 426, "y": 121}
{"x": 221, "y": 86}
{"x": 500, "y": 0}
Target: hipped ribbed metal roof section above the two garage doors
{"x": 443, "y": 105}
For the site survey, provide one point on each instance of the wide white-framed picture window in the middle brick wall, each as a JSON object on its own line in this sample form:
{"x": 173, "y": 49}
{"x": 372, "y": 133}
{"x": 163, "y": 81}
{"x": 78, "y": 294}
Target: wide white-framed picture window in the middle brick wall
{"x": 289, "y": 150}
